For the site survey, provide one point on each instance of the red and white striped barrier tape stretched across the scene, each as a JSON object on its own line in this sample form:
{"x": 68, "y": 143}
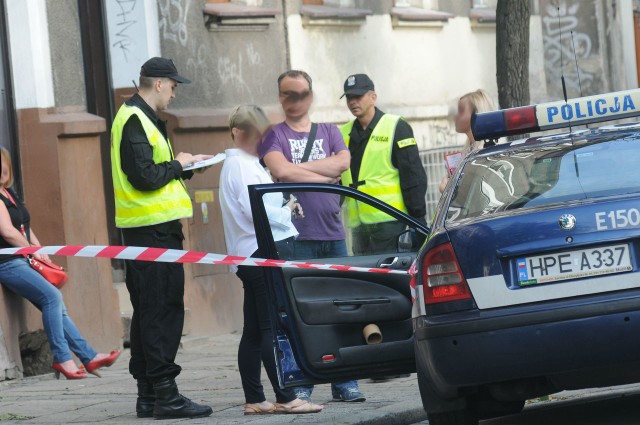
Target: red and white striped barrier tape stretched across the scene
{"x": 180, "y": 256}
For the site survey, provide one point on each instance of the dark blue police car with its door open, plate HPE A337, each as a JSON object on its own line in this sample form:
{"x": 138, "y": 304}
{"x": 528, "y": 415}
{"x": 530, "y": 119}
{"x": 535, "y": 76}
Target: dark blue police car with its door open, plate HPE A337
{"x": 526, "y": 285}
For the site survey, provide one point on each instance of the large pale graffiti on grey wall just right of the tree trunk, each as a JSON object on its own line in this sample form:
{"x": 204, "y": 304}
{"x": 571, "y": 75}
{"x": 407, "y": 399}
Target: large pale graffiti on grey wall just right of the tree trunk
{"x": 561, "y": 18}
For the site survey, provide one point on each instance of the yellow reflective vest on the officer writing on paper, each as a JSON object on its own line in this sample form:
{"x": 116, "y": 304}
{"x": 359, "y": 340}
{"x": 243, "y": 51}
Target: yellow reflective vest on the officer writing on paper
{"x": 135, "y": 208}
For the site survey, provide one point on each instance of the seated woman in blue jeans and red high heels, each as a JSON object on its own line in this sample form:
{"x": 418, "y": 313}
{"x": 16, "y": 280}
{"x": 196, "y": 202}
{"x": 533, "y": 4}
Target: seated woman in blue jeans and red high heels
{"x": 17, "y": 275}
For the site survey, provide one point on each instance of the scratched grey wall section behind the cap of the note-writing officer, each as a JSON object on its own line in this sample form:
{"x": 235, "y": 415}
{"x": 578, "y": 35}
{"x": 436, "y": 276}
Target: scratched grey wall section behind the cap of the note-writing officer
{"x": 226, "y": 67}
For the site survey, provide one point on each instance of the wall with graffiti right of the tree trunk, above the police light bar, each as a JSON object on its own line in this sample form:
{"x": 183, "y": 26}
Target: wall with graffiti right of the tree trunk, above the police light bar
{"x": 601, "y": 46}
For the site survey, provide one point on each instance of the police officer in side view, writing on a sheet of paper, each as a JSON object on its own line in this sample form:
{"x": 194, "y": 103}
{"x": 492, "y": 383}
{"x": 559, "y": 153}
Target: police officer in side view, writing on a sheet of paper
{"x": 151, "y": 198}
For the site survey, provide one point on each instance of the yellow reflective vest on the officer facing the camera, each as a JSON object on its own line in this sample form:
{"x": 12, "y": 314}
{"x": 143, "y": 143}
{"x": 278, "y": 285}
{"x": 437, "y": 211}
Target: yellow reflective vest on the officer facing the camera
{"x": 377, "y": 176}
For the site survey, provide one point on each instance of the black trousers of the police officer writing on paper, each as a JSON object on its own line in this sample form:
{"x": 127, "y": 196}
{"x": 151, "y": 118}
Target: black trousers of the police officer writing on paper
{"x": 157, "y": 295}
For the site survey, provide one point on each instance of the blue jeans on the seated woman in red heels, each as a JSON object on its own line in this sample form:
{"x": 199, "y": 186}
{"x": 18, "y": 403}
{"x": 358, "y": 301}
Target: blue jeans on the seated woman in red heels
{"x": 18, "y": 276}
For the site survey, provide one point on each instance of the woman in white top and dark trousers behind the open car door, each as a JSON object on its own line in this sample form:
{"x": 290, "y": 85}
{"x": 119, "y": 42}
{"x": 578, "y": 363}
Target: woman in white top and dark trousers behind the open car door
{"x": 241, "y": 169}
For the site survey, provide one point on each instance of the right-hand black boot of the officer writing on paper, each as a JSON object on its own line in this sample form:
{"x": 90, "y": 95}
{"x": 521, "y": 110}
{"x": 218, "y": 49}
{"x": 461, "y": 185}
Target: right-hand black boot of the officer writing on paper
{"x": 170, "y": 404}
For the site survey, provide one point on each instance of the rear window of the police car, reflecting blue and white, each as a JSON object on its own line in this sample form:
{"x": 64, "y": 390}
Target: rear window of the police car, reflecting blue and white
{"x": 545, "y": 175}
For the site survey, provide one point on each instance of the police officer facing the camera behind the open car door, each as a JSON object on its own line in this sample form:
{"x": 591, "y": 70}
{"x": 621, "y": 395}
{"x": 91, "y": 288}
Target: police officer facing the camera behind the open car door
{"x": 385, "y": 163}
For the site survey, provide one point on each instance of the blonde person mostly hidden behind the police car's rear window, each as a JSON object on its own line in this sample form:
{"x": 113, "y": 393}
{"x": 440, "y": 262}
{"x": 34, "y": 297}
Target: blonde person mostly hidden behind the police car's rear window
{"x": 474, "y": 102}
